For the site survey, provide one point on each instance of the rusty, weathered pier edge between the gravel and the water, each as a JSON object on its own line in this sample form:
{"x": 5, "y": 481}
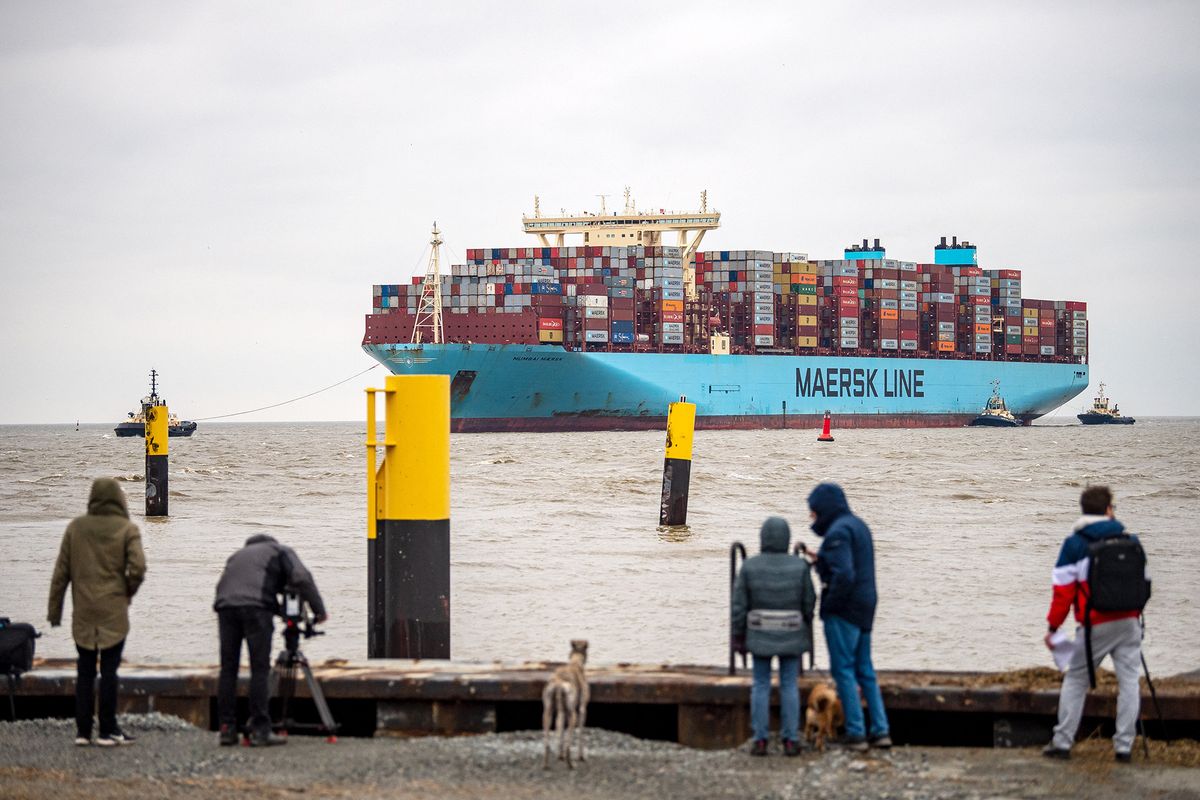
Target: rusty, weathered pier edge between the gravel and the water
{"x": 698, "y": 707}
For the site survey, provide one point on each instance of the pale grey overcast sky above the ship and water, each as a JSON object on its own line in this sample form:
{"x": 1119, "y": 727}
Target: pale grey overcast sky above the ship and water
{"x": 212, "y": 190}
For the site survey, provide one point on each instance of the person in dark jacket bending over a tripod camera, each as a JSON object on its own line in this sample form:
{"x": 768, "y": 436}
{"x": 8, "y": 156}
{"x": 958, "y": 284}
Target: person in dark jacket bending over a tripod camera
{"x": 248, "y": 601}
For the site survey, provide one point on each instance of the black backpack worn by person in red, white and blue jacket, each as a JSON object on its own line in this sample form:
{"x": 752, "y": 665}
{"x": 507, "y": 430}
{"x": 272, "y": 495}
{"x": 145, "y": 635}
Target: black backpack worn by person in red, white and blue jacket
{"x": 1117, "y": 581}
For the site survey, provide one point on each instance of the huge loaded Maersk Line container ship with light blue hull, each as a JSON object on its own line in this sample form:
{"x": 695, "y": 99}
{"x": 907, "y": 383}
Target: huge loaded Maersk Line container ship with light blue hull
{"x": 603, "y": 335}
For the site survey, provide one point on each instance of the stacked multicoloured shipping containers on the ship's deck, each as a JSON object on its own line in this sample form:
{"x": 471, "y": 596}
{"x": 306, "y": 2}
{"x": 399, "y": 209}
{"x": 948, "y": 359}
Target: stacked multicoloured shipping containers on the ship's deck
{"x": 634, "y": 299}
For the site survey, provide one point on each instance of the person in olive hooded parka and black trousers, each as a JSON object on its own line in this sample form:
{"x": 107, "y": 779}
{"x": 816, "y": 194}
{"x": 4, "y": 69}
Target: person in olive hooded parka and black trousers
{"x": 101, "y": 560}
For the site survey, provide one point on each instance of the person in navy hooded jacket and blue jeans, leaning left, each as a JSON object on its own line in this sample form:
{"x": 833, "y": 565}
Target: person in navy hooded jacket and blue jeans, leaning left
{"x": 847, "y": 566}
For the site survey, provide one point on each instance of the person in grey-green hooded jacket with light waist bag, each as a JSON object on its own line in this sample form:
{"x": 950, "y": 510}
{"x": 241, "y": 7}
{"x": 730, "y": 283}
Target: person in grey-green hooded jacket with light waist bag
{"x": 772, "y": 616}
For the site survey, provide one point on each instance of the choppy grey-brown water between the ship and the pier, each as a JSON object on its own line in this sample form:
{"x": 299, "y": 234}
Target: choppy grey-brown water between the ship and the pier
{"x": 555, "y": 536}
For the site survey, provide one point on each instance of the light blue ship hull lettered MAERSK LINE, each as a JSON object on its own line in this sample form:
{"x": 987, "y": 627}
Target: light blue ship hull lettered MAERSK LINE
{"x": 545, "y": 388}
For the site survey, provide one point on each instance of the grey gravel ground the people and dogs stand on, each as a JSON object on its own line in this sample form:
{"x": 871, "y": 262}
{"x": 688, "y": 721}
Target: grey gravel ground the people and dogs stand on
{"x": 173, "y": 760}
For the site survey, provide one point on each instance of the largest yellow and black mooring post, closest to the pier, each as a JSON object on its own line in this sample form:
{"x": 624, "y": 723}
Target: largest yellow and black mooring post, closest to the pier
{"x": 409, "y": 520}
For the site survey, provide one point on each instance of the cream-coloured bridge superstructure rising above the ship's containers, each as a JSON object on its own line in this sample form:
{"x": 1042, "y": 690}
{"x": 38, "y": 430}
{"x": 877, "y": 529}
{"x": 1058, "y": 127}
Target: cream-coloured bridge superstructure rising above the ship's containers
{"x": 631, "y": 228}
